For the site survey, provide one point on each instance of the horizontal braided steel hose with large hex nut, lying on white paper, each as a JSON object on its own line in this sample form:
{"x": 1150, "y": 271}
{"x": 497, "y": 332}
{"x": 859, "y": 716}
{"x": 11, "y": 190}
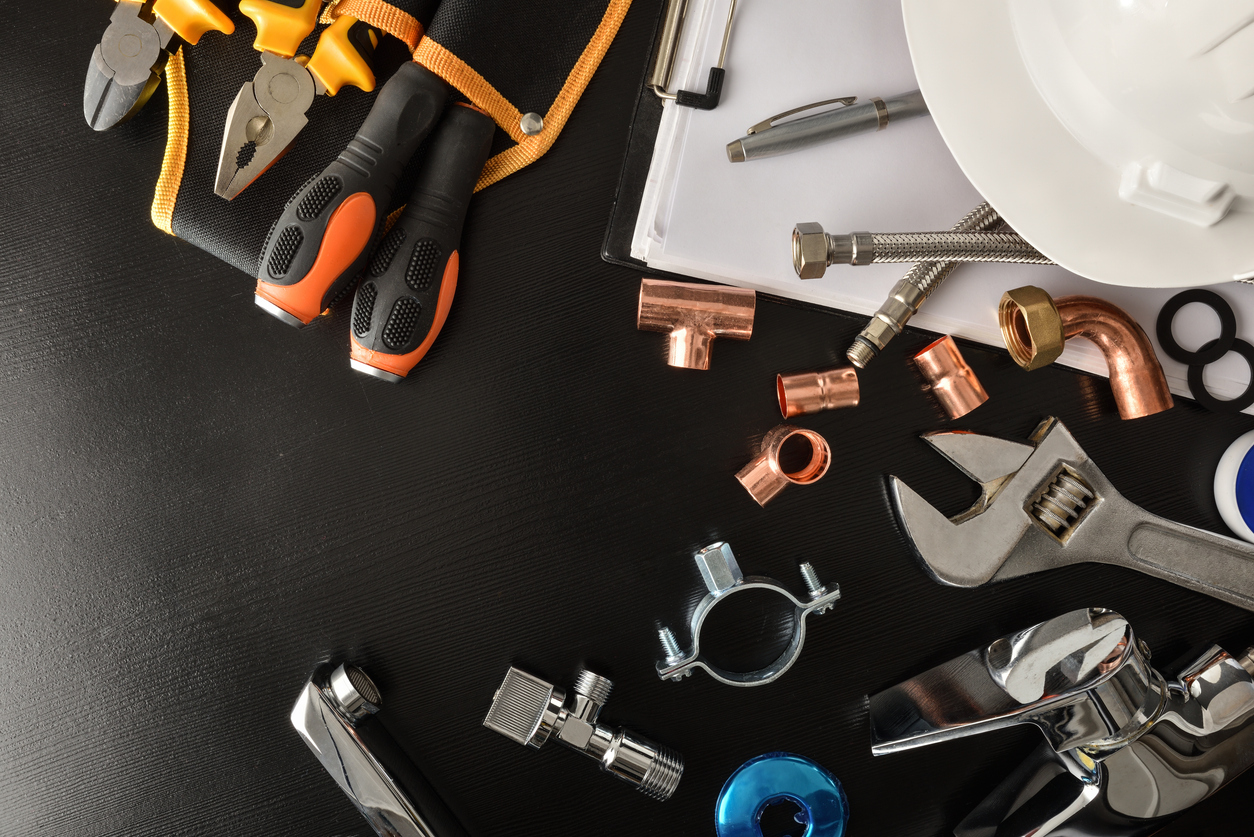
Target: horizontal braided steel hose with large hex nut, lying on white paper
{"x": 813, "y": 249}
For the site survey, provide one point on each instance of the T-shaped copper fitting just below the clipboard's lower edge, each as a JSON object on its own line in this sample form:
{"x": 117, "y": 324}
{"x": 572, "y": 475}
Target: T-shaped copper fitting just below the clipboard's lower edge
{"x": 694, "y": 316}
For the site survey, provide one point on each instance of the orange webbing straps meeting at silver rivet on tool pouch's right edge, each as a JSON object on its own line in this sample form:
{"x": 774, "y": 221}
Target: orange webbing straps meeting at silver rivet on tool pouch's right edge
{"x": 475, "y": 87}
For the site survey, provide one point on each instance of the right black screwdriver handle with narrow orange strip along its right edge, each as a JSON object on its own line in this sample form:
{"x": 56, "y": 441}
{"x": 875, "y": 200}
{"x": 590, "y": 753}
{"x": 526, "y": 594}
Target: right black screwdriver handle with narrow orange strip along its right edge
{"x": 408, "y": 289}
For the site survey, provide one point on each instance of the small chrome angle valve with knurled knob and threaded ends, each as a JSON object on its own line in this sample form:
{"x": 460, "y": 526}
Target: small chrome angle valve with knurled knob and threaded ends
{"x": 530, "y": 711}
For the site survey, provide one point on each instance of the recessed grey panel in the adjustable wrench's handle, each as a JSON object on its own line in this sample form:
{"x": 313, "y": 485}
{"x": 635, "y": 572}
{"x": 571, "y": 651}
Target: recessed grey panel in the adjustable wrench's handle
{"x": 1202, "y": 562}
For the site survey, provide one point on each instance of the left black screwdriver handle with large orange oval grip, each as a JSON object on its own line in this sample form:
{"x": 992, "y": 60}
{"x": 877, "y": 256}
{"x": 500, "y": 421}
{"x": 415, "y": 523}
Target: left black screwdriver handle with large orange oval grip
{"x": 320, "y": 243}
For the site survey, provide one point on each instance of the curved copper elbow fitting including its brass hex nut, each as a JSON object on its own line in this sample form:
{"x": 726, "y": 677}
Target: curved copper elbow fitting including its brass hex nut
{"x": 1137, "y": 377}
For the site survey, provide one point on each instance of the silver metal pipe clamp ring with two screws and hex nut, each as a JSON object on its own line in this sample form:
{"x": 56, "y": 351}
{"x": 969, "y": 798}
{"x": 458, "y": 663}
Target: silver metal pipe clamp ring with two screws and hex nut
{"x": 724, "y": 579}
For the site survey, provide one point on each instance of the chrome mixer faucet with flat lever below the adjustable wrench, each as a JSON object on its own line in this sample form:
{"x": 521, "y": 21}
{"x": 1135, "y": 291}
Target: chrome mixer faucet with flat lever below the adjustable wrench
{"x": 1125, "y": 750}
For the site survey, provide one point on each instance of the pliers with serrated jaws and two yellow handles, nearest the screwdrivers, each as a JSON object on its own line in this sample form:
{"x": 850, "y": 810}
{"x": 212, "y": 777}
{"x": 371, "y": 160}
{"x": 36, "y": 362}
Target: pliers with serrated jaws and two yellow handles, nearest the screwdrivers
{"x": 270, "y": 110}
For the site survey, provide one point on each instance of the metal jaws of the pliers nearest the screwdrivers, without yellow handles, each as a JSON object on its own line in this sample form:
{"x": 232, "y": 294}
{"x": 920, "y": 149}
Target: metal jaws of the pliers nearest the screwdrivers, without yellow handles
{"x": 263, "y": 122}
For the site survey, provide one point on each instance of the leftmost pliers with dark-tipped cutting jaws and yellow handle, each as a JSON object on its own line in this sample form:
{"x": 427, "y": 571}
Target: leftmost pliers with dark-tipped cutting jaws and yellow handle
{"x": 127, "y": 65}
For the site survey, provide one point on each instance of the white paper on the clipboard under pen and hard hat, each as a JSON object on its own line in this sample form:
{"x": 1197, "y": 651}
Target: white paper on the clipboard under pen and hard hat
{"x": 708, "y": 218}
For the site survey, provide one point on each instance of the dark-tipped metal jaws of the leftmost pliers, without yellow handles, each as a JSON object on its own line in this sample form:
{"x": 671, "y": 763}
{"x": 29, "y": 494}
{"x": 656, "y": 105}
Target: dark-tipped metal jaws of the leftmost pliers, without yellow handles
{"x": 126, "y": 66}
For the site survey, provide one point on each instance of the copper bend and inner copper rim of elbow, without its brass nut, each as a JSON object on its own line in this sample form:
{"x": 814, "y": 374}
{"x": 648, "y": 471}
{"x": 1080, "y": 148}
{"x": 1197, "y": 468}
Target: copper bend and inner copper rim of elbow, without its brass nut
{"x": 1137, "y": 377}
